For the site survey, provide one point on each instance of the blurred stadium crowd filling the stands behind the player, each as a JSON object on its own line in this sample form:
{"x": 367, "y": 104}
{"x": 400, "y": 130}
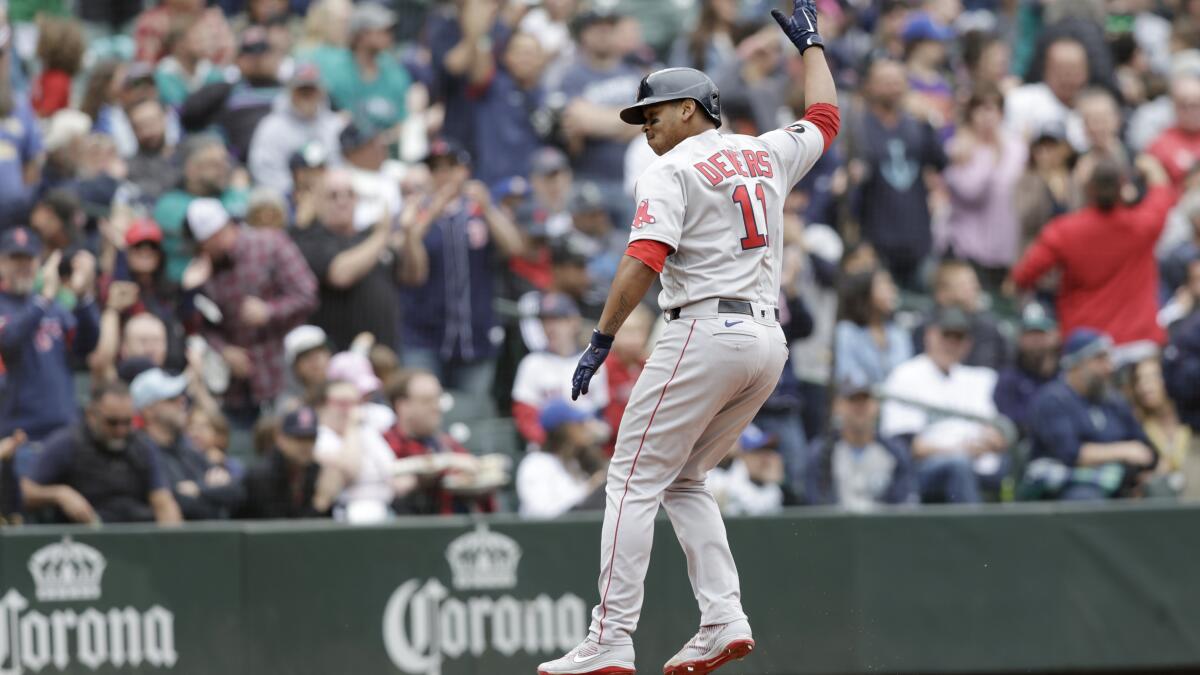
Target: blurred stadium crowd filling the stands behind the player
{"x": 290, "y": 259}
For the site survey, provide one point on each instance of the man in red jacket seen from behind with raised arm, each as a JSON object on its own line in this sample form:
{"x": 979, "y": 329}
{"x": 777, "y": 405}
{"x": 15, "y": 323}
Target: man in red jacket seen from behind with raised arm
{"x": 1106, "y": 253}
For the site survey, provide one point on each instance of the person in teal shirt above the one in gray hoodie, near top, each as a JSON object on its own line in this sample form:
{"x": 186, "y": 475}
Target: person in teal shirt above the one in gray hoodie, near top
{"x": 367, "y": 80}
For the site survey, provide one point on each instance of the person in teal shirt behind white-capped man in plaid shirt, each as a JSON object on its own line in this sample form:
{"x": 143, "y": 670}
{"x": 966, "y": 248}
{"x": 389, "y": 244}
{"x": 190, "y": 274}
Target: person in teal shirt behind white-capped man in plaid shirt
{"x": 207, "y": 174}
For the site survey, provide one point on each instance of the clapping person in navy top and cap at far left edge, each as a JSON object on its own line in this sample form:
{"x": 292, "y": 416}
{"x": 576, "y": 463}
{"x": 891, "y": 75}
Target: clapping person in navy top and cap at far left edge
{"x": 40, "y": 336}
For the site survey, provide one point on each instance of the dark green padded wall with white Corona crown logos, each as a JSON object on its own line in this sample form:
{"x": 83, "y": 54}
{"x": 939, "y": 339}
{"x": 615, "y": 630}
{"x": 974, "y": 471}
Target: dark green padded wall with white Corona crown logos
{"x": 939, "y": 590}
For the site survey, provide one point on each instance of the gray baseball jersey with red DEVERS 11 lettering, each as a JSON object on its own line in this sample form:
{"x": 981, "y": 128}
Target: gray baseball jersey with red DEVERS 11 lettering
{"x": 718, "y": 201}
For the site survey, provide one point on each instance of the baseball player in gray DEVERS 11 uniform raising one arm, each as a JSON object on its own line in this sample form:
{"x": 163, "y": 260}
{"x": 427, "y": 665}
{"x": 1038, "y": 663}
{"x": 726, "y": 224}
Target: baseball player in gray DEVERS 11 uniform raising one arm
{"x": 710, "y": 222}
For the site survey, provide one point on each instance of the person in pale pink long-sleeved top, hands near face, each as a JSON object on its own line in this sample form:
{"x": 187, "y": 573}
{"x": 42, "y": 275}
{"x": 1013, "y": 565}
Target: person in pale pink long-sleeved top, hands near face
{"x": 987, "y": 163}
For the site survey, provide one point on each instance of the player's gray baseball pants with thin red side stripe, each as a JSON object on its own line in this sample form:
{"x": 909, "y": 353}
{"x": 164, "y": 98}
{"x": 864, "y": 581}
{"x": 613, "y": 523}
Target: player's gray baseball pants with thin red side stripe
{"x": 703, "y": 385}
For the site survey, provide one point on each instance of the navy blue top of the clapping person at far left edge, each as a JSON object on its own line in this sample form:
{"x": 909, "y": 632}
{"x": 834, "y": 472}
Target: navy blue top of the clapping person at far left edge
{"x": 35, "y": 338}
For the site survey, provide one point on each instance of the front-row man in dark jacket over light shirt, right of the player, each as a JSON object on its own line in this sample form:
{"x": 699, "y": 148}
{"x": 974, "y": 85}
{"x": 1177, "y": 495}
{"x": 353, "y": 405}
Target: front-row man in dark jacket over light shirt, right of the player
{"x": 855, "y": 468}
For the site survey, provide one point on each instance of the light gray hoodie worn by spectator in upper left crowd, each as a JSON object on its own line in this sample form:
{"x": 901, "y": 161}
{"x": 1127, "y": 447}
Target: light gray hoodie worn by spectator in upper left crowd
{"x": 283, "y": 133}
